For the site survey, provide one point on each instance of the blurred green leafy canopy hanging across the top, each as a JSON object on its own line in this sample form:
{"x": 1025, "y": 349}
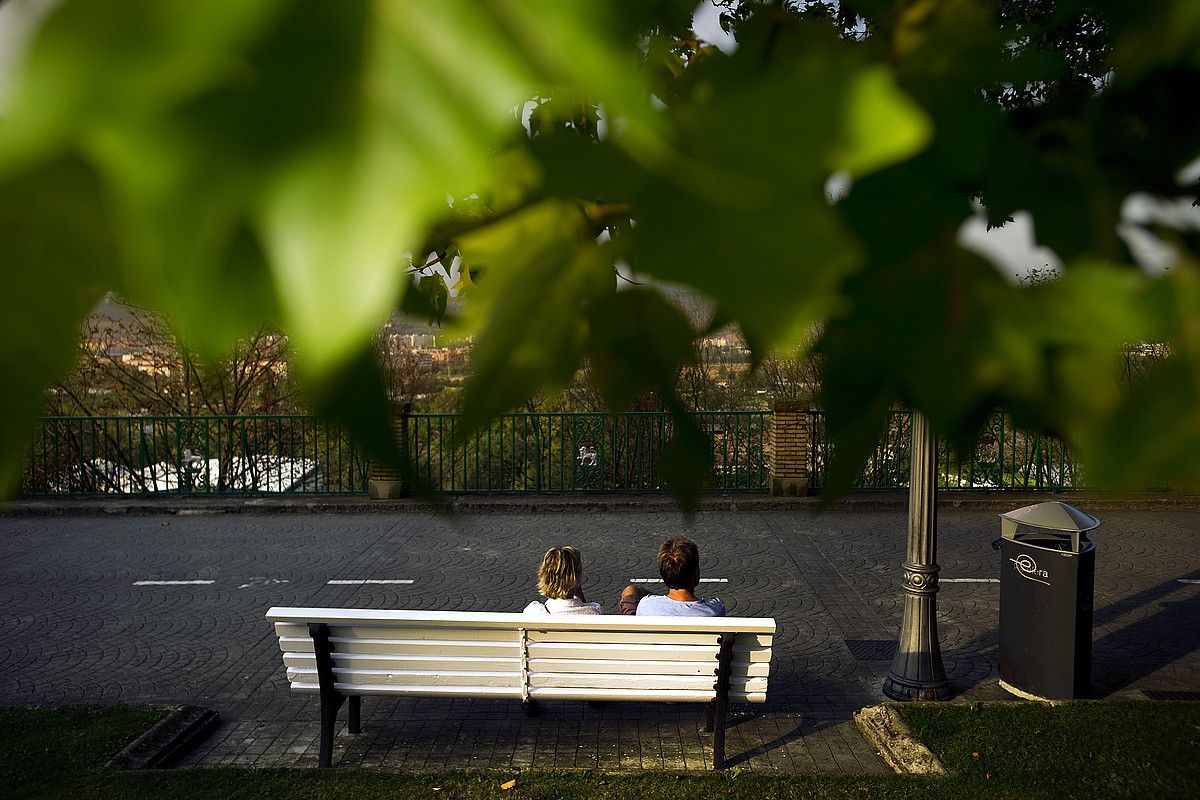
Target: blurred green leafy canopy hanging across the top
{"x": 235, "y": 163}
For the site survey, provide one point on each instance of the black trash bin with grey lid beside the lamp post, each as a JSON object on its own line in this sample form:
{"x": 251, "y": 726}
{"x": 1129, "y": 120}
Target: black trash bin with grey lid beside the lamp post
{"x": 1047, "y": 585}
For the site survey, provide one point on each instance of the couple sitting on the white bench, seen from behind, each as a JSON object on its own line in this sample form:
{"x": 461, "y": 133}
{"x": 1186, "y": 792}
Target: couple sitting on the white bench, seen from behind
{"x": 561, "y": 580}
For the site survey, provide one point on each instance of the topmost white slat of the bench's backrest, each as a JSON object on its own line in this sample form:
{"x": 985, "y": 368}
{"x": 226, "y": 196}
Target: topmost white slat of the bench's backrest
{"x": 334, "y": 617}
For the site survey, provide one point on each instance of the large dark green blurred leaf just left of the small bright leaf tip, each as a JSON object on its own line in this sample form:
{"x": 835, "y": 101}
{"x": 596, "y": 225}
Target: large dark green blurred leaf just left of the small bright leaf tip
{"x": 740, "y": 212}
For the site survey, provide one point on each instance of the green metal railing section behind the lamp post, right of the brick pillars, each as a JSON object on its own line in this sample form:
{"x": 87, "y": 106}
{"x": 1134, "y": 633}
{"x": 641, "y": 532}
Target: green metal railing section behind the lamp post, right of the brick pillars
{"x": 1005, "y": 459}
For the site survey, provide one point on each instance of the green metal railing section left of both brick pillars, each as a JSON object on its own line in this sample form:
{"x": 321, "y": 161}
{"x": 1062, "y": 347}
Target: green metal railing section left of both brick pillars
{"x": 193, "y": 455}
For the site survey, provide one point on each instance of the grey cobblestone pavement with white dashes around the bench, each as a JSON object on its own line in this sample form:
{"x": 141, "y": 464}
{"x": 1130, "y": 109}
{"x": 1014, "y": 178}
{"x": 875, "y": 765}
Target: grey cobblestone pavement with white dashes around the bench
{"x": 76, "y": 629}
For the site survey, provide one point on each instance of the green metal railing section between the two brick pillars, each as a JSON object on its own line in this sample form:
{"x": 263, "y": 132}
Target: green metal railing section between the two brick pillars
{"x": 581, "y": 453}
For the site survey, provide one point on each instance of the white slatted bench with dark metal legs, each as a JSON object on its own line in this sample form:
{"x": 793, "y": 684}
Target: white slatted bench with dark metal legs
{"x": 341, "y": 653}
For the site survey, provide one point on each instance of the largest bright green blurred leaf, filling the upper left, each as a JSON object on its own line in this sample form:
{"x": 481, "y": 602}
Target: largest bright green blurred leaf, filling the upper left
{"x": 284, "y": 157}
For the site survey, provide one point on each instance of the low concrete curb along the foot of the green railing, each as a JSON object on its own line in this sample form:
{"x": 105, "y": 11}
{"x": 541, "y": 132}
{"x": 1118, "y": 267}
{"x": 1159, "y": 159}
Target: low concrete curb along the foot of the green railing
{"x": 863, "y": 502}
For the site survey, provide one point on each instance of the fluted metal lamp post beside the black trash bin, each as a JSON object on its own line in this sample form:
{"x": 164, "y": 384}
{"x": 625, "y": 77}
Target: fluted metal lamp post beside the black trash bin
{"x": 917, "y": 673}
